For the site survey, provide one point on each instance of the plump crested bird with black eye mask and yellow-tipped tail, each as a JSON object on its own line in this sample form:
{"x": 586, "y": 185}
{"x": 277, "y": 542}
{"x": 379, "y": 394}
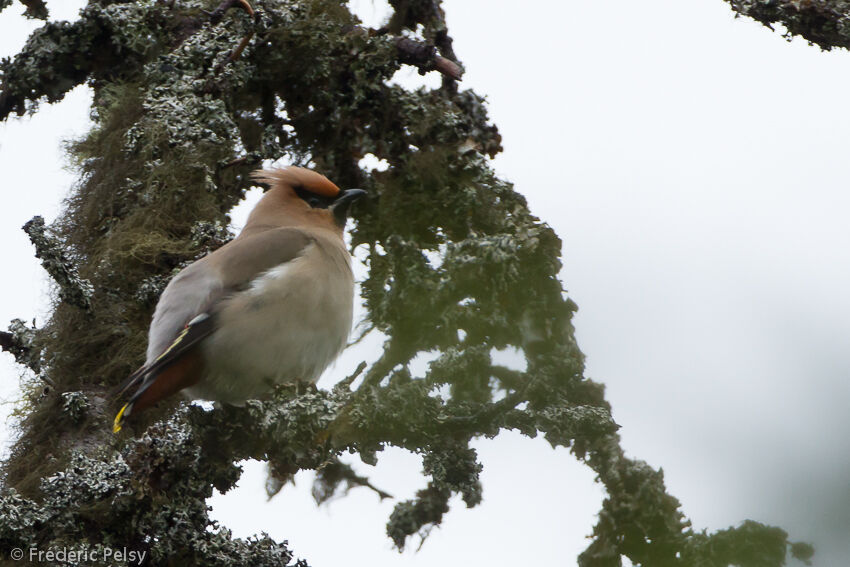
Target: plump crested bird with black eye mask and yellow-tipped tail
{"x": 274, "y": 305}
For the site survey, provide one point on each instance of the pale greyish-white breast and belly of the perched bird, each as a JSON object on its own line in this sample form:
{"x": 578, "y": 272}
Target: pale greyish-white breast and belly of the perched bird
{"x": 289, "y": 325}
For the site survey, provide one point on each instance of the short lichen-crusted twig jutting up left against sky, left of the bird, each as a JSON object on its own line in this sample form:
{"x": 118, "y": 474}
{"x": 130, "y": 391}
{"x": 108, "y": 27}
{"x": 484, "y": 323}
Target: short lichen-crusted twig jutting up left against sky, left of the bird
{"x": 73, "y": 289}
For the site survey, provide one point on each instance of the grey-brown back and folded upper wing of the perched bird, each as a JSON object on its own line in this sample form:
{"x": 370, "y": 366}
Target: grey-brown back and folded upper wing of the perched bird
{"x": 201, "y": 285}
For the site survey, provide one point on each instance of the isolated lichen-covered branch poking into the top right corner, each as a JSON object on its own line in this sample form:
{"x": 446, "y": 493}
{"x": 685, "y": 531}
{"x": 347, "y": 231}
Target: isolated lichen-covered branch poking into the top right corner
{"x": 825, "y": 23}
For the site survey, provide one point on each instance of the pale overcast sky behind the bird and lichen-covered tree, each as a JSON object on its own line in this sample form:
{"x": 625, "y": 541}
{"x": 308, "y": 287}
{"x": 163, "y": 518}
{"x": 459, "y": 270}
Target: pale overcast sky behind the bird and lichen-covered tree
{"x": 695, "y": 166}
